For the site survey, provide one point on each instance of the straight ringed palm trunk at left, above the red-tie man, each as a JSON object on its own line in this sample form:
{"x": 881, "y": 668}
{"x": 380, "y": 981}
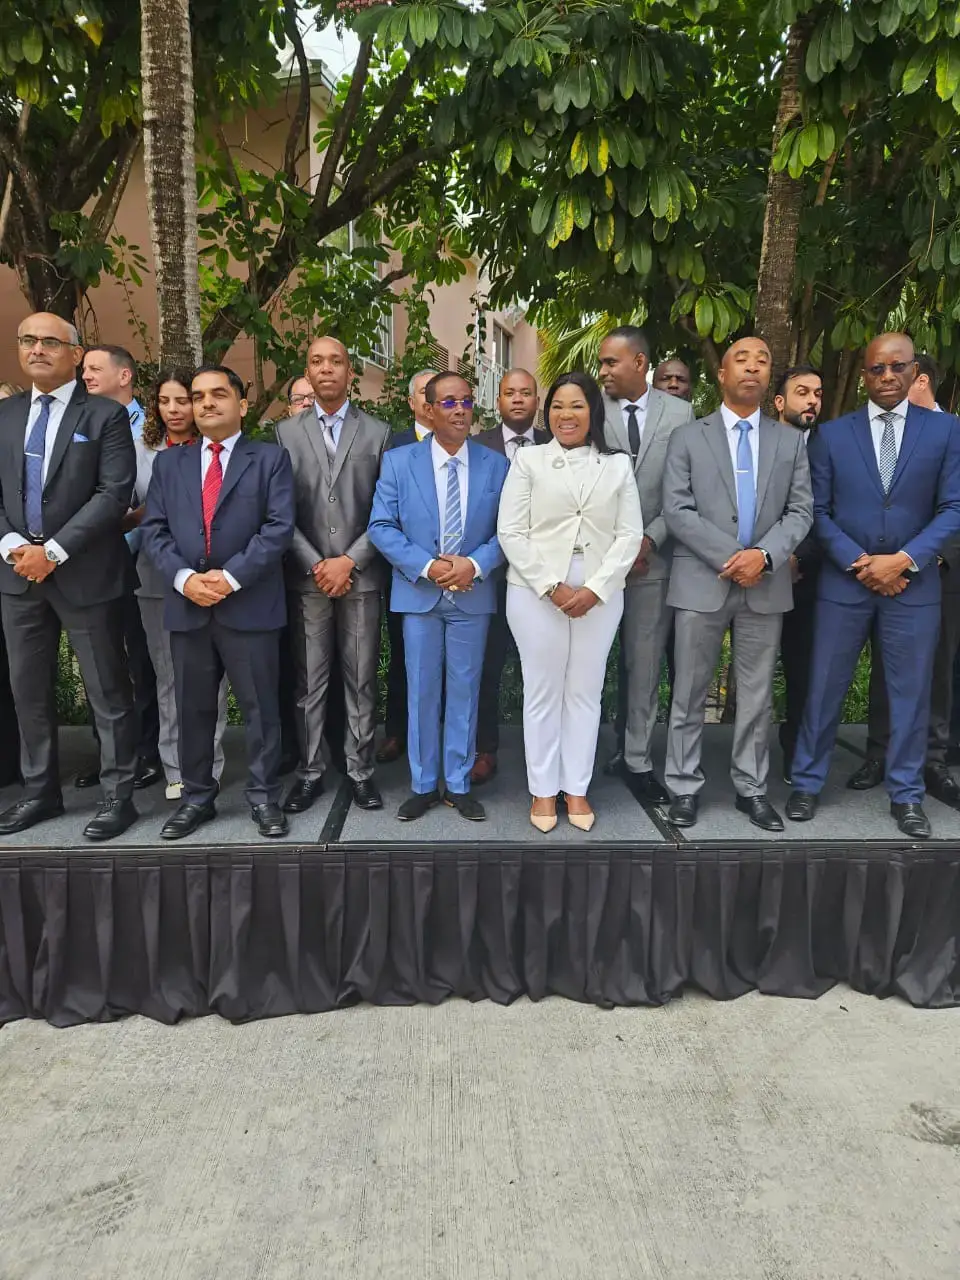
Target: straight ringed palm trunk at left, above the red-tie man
{"x": 167, "y": 70}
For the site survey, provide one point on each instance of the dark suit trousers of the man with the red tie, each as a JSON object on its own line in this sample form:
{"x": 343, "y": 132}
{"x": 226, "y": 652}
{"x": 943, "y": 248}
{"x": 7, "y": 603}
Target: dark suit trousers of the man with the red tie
{"x": 252, "y": 661}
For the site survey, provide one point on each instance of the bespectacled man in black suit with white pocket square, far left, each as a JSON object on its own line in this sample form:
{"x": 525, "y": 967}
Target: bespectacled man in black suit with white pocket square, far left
{"x": 67, "y": 473}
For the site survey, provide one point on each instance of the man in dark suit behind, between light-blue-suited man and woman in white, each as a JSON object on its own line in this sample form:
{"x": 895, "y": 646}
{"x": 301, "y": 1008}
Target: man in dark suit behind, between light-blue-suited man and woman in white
{"x": 518, "y": 403}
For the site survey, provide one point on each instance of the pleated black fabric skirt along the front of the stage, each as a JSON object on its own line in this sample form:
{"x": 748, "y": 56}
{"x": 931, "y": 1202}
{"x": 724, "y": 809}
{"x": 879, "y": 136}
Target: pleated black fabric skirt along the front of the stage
{"x": 253, "y": 935}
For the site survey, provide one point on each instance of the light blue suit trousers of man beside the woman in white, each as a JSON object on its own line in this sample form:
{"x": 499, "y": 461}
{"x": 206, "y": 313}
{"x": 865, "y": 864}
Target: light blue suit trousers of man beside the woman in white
{"x": 445, "y": 655}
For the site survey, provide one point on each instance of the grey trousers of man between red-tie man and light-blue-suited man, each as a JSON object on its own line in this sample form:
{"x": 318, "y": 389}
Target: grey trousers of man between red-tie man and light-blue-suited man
{"x": 321, "y": 628}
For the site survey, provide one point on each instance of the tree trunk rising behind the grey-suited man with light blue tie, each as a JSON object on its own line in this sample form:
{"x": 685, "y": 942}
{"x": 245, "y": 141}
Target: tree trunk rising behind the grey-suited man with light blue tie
{"x": 781, "y": 222}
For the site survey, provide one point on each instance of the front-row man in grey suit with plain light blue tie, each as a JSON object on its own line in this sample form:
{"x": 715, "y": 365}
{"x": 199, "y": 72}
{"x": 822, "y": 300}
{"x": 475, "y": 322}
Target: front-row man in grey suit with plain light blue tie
{"x": 738, "y": 502}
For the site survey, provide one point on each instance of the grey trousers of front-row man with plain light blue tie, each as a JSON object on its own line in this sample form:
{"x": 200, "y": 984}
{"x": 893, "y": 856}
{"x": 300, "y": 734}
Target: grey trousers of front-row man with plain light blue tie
{"x": 698, "y": 641}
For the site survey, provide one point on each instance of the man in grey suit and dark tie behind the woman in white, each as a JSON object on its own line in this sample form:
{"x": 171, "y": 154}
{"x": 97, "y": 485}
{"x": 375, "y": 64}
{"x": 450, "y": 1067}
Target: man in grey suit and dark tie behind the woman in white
{"x": 639, "y": 422}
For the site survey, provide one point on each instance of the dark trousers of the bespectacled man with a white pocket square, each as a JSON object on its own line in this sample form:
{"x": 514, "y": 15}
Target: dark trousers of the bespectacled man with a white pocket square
{"x": 33, "y": 624}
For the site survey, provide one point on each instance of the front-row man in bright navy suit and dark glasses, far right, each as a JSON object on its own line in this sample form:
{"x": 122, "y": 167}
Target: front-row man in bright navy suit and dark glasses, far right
{"x": 886, "y": 484}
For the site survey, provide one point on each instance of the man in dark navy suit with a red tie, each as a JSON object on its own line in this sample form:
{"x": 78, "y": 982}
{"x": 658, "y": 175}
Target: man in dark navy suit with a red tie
{"x": 218, "y": 523}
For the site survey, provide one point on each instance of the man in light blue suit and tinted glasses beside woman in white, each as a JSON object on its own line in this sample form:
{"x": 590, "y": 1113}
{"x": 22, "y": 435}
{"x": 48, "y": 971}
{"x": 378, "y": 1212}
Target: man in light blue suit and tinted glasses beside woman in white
{"x": 435, "y": 519}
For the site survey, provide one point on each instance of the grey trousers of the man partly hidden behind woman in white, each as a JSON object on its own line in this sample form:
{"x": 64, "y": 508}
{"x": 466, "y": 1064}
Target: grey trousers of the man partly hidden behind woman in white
{"x": 647, "y": 621}
